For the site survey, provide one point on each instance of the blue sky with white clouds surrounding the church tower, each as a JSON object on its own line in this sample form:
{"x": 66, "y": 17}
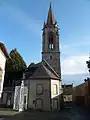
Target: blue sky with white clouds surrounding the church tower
{"x": 21, "y": 23}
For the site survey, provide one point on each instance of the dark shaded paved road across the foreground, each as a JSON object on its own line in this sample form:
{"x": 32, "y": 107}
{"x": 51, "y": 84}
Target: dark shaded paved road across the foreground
{"x": 69, "y": 113}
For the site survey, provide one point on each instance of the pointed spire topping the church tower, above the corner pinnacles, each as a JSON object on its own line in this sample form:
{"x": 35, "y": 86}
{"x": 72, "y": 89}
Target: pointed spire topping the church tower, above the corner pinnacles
{"x": 50, "y": 19}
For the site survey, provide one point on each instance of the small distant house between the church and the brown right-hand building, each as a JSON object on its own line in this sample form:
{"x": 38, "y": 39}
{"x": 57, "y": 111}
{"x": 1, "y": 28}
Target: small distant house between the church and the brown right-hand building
{"x": 67, "y": 92}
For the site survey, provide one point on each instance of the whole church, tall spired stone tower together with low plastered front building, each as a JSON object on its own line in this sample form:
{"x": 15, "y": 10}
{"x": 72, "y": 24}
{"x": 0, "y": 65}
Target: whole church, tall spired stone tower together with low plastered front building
{"x": 42, "y": 81}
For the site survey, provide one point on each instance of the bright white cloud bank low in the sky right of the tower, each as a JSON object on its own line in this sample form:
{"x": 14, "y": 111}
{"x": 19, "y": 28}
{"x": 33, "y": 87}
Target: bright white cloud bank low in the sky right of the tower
{"x": 74, "y": 65}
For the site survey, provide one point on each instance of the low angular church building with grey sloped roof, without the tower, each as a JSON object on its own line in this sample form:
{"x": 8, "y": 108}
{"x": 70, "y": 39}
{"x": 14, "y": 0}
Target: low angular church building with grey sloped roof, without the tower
{"x": 44, "y": 88}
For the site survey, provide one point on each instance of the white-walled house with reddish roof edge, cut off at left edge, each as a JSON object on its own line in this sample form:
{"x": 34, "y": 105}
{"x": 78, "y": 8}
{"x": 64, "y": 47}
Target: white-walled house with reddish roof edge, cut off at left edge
{"x": 3, "y": 56}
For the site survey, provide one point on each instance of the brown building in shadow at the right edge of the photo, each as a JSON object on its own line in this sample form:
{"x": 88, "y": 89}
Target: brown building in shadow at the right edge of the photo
{"x": 81, "y": 93}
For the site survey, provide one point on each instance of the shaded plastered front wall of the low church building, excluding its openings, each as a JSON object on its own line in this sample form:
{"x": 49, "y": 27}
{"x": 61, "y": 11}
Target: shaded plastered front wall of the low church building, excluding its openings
{"x": 45, "y": 96}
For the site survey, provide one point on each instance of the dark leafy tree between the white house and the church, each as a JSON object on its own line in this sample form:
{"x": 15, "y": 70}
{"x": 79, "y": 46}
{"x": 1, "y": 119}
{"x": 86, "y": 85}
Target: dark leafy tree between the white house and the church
{"x": 15, "y": 66}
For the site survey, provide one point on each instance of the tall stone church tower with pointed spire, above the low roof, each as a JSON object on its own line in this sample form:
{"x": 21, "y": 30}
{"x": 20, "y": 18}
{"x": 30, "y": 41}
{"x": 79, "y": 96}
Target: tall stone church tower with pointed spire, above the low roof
{"x": 50, "y": 42}
